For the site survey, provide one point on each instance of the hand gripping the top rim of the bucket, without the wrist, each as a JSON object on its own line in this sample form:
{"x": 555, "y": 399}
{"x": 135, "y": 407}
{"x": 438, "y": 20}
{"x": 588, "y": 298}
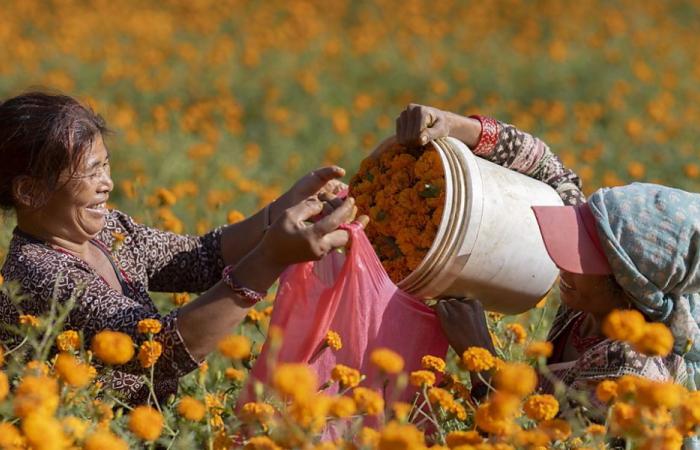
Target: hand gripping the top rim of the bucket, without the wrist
{"x": 418, "y": 124}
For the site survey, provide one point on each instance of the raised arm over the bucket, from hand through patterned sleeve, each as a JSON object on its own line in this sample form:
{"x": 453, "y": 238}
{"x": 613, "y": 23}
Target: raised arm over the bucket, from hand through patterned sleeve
{"x": 495, "y": 141}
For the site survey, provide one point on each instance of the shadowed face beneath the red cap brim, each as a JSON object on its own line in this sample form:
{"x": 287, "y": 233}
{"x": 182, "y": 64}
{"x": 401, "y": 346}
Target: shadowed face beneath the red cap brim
{"x": 593, "y": 294}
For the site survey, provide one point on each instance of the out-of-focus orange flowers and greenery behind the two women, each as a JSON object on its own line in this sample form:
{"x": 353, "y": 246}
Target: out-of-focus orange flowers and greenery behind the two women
{"x": 218, "y": 106}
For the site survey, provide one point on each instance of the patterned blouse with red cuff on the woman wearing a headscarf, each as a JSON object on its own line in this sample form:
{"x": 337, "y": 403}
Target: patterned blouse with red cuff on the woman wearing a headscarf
{"x": 509, "y": 147}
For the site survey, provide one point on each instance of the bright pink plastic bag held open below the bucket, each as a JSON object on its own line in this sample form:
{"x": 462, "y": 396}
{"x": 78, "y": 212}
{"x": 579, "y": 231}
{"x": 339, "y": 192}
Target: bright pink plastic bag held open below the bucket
{"x": 351, "y": 294}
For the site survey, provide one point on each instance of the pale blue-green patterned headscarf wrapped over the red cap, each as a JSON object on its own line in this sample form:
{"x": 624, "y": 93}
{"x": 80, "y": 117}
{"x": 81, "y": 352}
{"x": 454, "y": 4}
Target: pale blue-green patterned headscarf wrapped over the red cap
{"x": 651, "y": 237}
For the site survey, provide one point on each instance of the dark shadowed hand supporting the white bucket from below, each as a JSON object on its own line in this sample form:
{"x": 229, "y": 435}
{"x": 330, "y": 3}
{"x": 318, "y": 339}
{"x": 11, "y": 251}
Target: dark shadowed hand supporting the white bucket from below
{"x": 464, "y": 324}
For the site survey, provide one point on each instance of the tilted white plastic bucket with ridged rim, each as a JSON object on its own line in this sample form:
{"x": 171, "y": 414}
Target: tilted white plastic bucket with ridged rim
{"x": 488, "y": 245}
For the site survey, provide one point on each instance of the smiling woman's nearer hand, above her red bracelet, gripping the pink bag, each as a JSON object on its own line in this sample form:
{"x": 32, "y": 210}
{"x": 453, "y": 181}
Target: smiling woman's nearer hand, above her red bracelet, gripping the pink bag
{"x": 292, "y": 238}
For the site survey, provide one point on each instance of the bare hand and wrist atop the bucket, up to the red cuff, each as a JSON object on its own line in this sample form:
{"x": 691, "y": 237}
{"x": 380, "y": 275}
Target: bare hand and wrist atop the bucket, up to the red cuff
{"x": 418, "y": 124}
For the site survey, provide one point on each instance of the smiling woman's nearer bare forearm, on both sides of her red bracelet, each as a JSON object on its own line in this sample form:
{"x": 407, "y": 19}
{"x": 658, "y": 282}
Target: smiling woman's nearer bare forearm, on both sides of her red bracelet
{"x": 203, "y": 322}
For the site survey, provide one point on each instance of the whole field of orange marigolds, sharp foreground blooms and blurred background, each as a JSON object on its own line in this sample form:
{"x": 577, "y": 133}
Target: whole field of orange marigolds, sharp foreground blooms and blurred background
{"x": 217, "y": 107}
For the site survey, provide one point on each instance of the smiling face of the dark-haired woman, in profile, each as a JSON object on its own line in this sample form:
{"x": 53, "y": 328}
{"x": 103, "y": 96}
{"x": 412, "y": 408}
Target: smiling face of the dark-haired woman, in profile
{"x": 77, "y": 210}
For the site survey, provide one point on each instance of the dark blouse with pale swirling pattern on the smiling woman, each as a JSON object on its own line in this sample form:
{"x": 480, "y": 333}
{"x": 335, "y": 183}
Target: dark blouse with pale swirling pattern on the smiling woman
{"x": 145, "y": 260}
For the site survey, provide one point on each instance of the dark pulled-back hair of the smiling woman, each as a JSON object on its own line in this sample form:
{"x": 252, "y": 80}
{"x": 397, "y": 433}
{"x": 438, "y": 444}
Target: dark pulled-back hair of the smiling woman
{"x": 42, "y": 136}
